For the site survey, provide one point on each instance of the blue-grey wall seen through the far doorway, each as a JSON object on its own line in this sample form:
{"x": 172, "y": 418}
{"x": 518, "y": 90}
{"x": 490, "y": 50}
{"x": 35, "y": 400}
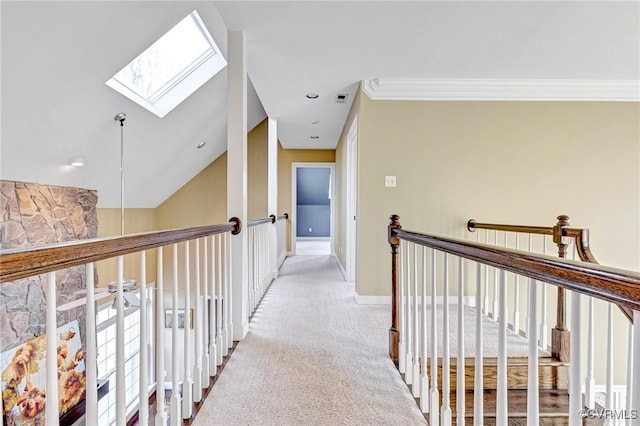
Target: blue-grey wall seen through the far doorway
{"x": 313, "y": 203}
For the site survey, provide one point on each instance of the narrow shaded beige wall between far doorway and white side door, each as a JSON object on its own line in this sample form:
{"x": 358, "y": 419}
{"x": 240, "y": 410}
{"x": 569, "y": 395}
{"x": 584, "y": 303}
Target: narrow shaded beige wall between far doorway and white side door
{"x": 339, "y": 240}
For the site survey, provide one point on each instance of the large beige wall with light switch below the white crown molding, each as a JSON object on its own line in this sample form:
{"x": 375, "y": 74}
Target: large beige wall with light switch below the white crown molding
{"x": 501, "y": 162}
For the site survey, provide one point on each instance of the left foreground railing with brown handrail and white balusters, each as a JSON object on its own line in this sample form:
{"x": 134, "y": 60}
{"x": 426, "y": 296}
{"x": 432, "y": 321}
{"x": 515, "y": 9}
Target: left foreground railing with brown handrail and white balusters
{"x": 203, "y": 264}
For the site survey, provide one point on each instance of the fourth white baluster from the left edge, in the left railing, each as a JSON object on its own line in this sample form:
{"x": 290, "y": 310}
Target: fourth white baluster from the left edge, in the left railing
{"x": 143, "y": 399}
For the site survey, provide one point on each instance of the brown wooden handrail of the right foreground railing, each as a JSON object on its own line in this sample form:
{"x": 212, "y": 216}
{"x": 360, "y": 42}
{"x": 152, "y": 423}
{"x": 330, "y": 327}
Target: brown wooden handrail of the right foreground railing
{"x": 606, "y": 283}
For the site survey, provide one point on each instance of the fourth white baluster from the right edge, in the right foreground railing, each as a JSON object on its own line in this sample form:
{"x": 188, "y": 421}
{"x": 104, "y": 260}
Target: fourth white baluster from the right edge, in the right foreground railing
{"x": 501, "y": 403}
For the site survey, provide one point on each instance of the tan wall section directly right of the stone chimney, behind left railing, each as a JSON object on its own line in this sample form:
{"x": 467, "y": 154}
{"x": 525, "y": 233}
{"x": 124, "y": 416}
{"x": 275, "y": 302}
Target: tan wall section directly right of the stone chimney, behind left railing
{"x": 136, "y": 220}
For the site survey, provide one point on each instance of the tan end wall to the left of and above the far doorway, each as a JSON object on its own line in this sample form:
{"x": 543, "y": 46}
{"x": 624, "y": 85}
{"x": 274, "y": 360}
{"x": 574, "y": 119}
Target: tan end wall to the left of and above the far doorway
{"x": 285, "y": 158}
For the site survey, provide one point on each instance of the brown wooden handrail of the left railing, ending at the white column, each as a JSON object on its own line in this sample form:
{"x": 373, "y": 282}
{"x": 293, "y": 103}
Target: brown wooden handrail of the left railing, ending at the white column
{"x": 22, "y": 263}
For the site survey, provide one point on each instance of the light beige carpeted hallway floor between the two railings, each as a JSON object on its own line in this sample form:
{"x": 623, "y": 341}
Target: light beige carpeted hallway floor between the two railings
{"x": 312, "y": 356}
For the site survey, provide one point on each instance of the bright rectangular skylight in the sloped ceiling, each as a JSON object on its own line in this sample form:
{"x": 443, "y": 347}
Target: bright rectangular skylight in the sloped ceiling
{"x": 172, "y": 68}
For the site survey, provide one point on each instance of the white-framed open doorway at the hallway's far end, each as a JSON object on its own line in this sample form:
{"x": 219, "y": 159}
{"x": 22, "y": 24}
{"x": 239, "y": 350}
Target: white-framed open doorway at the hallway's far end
{"x": 312, "y": 200}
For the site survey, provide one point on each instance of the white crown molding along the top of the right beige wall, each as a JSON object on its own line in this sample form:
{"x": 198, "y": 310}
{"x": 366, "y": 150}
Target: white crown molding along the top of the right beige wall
{"x": 419, "y": 89}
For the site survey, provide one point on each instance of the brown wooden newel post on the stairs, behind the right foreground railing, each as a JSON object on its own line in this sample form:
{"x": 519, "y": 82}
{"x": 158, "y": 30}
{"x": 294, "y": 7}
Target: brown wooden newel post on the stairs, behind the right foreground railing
{"x": 560, "y": 336}
